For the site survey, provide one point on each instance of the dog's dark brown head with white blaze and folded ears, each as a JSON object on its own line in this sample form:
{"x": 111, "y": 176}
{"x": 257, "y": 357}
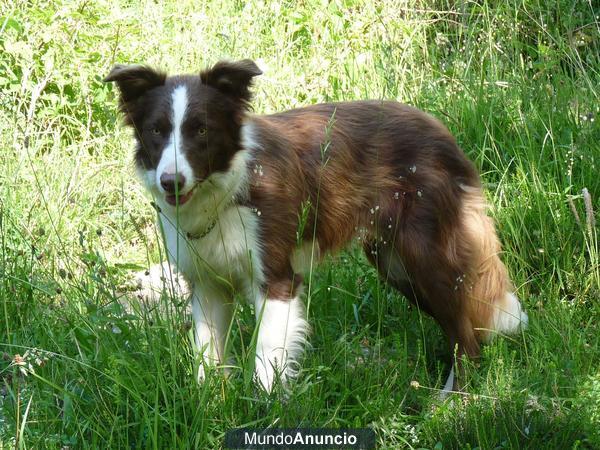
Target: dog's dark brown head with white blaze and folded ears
{"x": 187, "y": 127}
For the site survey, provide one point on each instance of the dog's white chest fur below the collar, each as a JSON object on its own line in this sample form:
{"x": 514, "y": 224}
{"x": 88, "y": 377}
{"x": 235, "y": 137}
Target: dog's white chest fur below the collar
{"x": 228, "y": 253}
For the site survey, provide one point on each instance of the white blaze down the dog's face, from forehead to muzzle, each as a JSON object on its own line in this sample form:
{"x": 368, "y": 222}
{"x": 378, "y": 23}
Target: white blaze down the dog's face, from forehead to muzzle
{"x": 172, "y": 159}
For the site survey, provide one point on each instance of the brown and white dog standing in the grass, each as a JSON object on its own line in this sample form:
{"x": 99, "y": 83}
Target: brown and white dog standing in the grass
{"x": 245, "y": 200}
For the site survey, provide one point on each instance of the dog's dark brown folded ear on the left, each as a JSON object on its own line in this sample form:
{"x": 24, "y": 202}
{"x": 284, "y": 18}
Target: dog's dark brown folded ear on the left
{"x": 134, "y": 81}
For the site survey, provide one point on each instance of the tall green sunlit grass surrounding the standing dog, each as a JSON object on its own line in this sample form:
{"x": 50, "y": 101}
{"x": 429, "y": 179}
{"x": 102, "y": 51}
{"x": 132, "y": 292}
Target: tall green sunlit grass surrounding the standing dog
{"x": 516, "y": 82}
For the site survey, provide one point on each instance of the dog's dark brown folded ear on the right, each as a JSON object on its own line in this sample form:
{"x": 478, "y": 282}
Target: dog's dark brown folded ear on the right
{"x": 233, "y": 78}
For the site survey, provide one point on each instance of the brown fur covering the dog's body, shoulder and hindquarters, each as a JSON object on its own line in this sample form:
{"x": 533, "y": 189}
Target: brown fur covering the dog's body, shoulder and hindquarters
{"x": 385, "y": 164}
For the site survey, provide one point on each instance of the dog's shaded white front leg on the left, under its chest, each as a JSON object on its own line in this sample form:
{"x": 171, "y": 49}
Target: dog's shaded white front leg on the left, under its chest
{"x": 212, "y": 317}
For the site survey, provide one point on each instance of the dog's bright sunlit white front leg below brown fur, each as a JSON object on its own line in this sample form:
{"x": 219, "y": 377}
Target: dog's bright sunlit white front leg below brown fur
{"x": 281, "y": 336}
